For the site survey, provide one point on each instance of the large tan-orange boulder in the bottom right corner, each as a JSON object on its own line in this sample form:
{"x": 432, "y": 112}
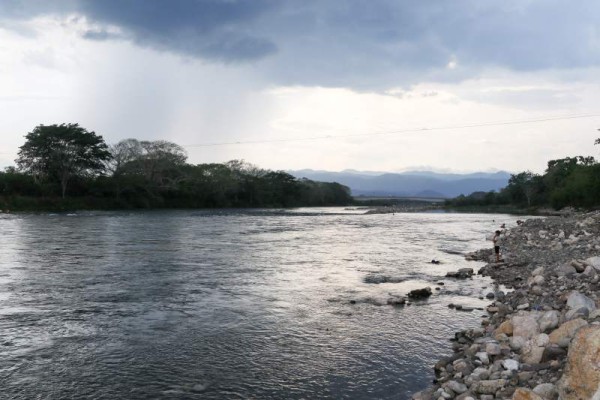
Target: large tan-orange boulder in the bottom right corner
{"x": 581, "y": 379}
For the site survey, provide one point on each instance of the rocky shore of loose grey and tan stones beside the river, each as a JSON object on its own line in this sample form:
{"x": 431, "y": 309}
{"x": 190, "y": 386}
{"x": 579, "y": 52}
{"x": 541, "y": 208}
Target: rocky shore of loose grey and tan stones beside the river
{"x": 541, "y": 339}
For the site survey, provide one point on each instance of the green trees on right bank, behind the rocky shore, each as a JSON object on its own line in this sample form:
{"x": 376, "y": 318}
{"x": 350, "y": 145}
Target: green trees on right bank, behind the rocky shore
{"x": 570, "y": 181}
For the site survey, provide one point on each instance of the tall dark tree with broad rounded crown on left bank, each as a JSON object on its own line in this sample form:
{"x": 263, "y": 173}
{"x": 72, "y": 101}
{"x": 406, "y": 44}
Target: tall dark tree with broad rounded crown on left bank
{"x": 62, "y": 152}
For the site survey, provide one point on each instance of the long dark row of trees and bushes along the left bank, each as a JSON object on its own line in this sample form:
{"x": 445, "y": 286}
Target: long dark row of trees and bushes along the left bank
{"x": 66, "y": 166}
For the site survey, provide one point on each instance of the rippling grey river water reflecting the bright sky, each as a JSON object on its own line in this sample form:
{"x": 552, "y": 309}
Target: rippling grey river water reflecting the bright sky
{"x": 231, "y": 304}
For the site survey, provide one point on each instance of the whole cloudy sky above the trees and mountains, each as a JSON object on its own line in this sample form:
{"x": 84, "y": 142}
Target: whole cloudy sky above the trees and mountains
{"x": 373, "y": 85}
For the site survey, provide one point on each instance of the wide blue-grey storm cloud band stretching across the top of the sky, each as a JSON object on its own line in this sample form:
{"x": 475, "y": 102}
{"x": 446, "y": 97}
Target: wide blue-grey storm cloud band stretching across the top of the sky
{"x": 355, "y": 43}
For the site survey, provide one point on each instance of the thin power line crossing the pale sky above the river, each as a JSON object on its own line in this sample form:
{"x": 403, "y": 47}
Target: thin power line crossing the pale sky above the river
{"x": 467, "y": 126}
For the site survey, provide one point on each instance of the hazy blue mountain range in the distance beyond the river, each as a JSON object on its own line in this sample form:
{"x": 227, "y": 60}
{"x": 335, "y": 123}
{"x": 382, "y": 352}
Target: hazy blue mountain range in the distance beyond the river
{"x": 411, "y": 183}
